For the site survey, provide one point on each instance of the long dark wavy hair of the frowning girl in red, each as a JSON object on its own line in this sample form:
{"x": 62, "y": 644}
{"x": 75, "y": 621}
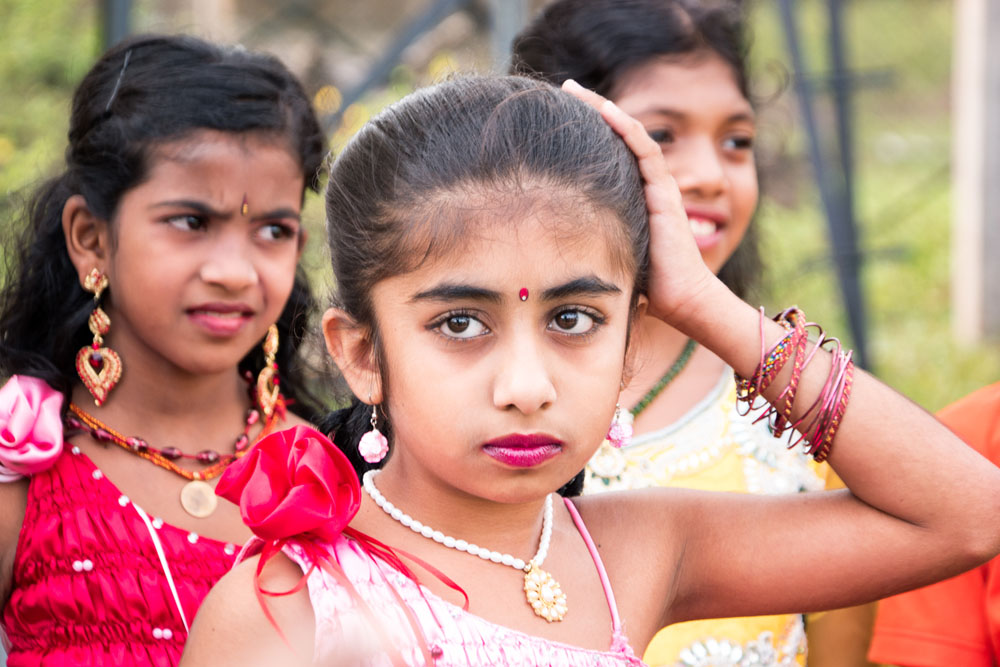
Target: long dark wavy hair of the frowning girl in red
{"x": 145, "y": 91}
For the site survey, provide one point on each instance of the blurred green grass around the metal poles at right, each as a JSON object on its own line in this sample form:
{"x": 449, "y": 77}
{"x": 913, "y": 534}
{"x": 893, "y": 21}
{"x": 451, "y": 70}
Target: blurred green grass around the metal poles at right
{"x": 902, "y": 144}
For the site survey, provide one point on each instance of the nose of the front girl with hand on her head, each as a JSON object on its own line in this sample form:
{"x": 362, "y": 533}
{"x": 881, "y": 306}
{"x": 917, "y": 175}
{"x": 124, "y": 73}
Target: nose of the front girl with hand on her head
{"x": 523, "y": 382}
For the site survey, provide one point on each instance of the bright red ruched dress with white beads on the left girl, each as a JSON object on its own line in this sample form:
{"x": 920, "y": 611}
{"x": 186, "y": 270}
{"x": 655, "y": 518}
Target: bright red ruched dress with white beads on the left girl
{"x": 90, "y": 587}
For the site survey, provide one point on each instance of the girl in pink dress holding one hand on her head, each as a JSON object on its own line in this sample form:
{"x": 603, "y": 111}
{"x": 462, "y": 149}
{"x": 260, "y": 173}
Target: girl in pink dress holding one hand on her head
{"x": 493, "y": 251}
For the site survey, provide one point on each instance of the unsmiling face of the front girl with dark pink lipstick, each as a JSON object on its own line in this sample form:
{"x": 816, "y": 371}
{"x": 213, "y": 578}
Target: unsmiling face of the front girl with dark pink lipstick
{"x": 497, "y": 395}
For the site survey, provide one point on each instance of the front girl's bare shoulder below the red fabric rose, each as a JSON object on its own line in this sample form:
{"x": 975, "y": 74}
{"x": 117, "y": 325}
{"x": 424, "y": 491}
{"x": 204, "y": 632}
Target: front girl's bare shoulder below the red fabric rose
{"x": 232, "y": 628}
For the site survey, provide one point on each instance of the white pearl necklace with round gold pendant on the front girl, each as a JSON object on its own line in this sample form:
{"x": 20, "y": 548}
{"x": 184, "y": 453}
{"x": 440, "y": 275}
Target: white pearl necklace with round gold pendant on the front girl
{"x": 541, "y": 591}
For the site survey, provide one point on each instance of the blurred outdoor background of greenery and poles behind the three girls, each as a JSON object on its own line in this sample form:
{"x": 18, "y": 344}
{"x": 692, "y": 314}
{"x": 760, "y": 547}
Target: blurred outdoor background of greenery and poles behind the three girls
{"x": 856, "y": 120}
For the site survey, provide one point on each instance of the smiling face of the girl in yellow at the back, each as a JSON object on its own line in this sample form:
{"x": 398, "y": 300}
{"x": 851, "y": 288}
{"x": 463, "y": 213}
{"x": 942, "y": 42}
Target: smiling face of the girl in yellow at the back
{"x": 705, "y": 127}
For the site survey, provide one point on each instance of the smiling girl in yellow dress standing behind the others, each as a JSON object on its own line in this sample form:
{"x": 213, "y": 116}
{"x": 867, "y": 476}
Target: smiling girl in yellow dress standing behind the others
{"x": 679, "y": 67}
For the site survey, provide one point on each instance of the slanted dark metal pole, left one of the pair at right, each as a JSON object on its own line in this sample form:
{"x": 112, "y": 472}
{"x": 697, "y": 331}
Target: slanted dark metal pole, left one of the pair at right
{"x": 842, "y": 233}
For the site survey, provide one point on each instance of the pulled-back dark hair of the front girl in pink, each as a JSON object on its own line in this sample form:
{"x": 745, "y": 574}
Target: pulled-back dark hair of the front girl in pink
{"x": 393, "y": 192}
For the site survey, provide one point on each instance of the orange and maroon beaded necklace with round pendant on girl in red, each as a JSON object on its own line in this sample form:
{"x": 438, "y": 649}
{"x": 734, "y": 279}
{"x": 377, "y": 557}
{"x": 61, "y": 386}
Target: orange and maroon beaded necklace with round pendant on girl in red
{"x": 197, "y": 498}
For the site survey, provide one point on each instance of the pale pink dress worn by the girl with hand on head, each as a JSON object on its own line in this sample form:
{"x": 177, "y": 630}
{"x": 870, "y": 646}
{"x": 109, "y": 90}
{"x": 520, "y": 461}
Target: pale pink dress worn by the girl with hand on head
{"x": 453, "y": 636}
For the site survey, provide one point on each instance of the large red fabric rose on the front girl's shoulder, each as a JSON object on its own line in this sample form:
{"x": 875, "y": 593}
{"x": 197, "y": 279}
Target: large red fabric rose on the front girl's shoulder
{"x": 293, "y": 482}
